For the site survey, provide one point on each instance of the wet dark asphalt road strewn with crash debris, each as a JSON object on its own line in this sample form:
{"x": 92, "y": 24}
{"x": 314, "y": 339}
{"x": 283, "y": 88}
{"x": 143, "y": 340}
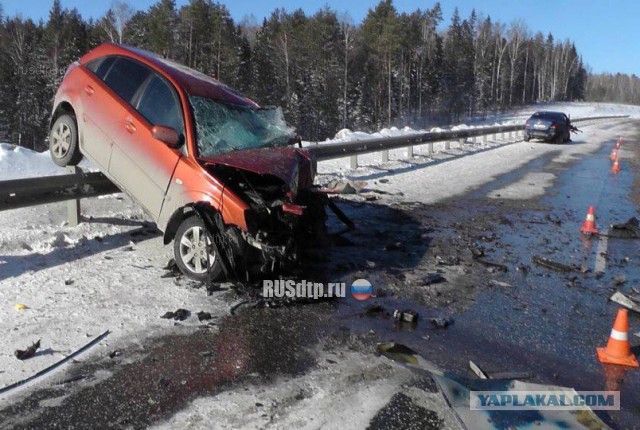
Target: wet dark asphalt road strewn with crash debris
{"x": 545, "y": 322}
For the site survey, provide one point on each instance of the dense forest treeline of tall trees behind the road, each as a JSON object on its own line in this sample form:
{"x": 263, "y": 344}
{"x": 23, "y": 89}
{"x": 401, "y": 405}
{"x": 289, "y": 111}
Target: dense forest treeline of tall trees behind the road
{"x": 326, "y": 71}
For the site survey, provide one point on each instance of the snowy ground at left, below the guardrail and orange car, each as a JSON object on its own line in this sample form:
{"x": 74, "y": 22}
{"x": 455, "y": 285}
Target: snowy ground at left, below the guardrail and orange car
{"x": 78, "y": 282}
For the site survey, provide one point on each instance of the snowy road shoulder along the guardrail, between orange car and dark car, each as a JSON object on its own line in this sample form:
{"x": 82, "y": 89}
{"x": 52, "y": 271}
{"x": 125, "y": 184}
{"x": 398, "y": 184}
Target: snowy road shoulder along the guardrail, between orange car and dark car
{"x": 458, "y": 171}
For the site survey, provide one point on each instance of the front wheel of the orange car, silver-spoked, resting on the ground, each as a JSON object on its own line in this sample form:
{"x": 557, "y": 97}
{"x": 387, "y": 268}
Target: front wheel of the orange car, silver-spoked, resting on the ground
{"x": 190, "y": 249}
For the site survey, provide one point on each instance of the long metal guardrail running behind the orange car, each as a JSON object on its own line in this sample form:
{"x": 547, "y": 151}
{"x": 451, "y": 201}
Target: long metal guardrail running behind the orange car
{"x": 20, "y": 193}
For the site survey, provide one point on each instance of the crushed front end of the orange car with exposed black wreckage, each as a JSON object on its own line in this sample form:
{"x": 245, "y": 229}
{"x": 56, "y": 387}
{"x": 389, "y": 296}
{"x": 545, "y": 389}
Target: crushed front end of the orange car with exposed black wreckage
{"x": 286, "y": 212}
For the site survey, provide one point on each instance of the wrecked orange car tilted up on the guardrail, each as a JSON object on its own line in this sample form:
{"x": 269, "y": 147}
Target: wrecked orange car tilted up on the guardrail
{"x": 218, "y": 174}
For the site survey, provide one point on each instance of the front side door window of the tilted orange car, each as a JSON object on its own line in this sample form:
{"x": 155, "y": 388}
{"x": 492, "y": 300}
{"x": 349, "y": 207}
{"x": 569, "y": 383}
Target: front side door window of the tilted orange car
{"x": 159, "y": 105}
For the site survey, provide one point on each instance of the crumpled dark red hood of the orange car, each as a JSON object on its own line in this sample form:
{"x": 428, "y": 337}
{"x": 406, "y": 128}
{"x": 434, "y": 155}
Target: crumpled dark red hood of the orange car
{"x": 284, "y": 163}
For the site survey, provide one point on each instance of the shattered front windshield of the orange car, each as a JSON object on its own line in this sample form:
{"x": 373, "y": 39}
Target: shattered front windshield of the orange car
{"x": 224, "y": 127}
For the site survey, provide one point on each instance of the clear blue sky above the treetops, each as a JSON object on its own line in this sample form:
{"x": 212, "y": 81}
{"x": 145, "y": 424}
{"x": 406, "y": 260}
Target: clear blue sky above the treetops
{"x": 606, "y": 32}
